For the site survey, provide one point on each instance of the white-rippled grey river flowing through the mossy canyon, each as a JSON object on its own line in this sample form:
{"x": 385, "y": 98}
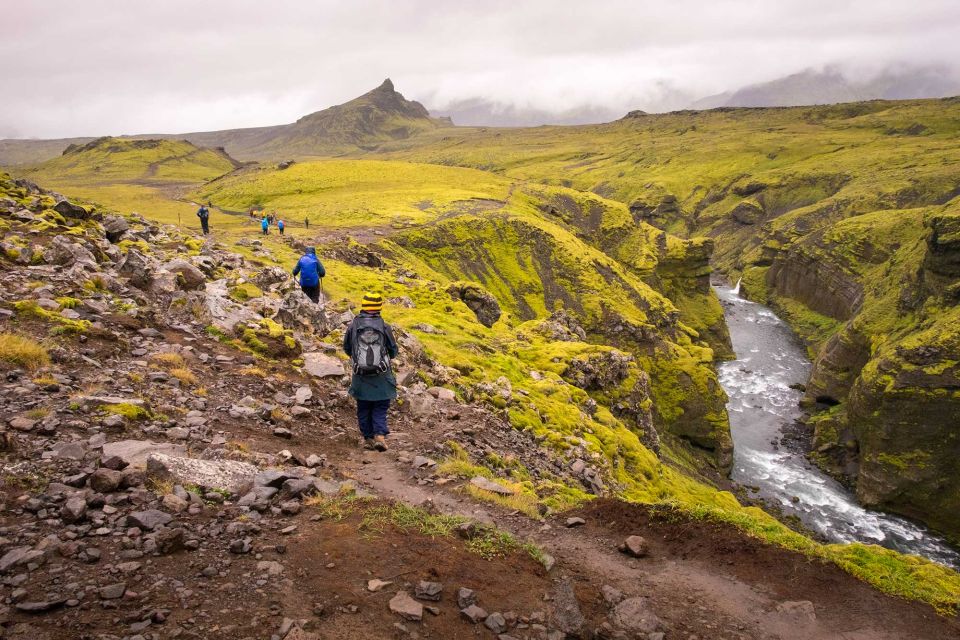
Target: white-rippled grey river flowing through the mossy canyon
{"x": 770, "y": 358}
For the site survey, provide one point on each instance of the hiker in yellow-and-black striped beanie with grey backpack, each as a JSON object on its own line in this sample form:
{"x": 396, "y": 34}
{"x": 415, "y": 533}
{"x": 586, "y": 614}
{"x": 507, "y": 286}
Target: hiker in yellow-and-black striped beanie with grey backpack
{"x": 370, "y": 344}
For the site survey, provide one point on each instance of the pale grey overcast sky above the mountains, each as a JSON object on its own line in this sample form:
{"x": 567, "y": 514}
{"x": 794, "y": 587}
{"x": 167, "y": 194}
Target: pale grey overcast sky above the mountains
{"x": 97, "y": 67}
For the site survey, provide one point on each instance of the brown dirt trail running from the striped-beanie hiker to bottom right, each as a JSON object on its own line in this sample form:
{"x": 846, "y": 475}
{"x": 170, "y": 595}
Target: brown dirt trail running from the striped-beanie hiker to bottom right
{"x": 700, "y": 577}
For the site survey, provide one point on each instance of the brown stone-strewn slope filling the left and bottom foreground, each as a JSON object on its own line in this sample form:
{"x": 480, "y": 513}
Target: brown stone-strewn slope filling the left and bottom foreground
{"x": 172, "y": 469}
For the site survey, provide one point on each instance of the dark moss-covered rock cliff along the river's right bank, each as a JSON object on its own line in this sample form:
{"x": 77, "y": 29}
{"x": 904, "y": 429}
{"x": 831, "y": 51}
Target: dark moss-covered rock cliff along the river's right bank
{"x": 884, "y": 386}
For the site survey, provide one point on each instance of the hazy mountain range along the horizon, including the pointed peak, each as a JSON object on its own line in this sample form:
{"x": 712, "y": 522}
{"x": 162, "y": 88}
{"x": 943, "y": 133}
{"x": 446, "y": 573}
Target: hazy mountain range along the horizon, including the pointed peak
{"x": 383, "y": 115}
